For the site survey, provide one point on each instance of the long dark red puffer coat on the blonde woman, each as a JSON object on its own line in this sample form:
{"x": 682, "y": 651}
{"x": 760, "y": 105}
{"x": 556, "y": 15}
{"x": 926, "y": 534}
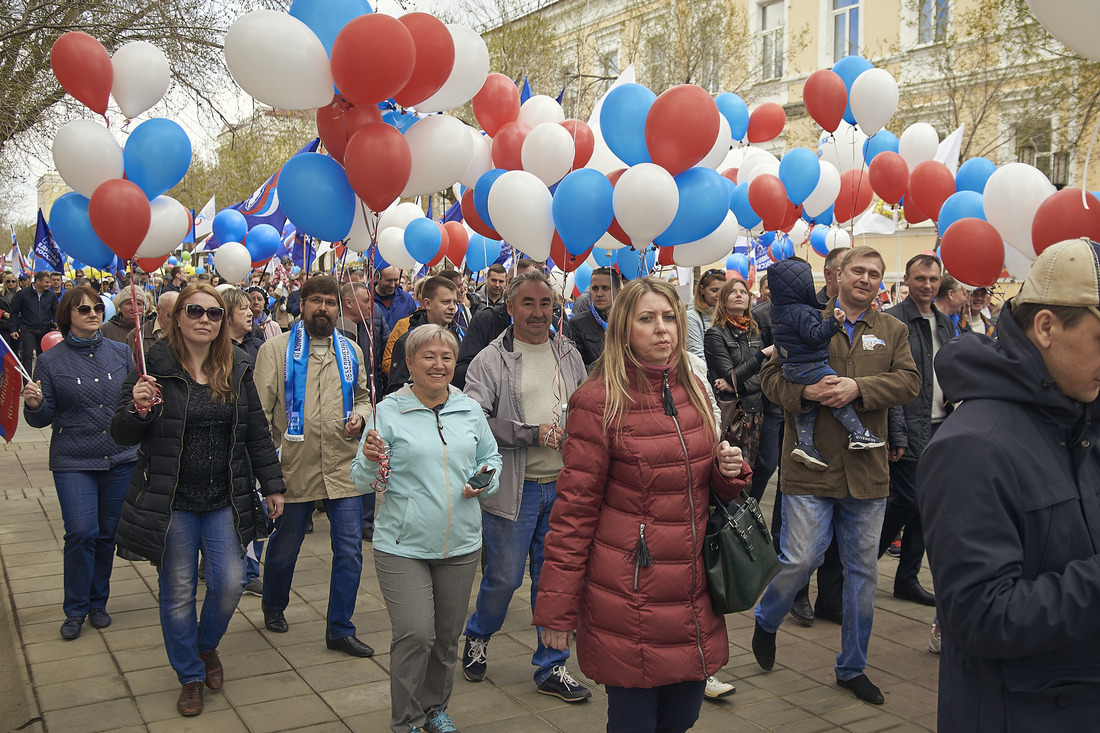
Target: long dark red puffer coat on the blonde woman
{"x": 637, "y": 627}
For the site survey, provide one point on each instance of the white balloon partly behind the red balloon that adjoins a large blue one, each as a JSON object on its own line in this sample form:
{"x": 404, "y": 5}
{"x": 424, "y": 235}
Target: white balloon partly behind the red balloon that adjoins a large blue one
{"x": 442, "y": 150}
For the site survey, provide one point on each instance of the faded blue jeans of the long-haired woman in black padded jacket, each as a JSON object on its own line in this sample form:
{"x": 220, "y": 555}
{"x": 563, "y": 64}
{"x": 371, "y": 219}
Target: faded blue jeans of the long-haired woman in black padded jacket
{"x": 215, "y": 533}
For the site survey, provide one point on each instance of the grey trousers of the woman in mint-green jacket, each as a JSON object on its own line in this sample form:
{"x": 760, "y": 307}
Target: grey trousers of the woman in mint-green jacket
{"x": 427, "y": 601}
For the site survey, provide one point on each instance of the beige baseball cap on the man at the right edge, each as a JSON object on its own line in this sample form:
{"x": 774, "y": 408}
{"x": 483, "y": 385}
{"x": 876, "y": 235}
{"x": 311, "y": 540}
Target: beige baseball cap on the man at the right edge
{"x": 1065, "y": 275}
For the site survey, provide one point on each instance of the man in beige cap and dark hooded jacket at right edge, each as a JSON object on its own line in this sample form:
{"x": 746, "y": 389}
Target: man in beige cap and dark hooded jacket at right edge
{"x": 1008, "y": 491}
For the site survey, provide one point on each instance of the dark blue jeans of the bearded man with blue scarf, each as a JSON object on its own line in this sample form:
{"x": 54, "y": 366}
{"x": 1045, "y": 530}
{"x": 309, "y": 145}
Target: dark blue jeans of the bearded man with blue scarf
{"x": 346, "y": 533}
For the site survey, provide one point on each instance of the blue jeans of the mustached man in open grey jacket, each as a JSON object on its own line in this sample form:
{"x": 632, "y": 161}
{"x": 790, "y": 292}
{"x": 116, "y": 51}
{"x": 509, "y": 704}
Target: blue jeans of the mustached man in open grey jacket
{"x": 509, "y": 545}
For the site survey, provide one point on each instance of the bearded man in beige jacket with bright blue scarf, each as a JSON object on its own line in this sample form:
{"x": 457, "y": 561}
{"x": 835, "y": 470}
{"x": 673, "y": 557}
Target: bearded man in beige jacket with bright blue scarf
{"x": 316, "y": 414}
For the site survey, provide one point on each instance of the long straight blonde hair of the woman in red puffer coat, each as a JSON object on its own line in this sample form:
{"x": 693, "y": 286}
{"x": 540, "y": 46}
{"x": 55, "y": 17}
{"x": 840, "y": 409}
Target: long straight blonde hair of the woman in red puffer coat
{"x": 618, "y": 352}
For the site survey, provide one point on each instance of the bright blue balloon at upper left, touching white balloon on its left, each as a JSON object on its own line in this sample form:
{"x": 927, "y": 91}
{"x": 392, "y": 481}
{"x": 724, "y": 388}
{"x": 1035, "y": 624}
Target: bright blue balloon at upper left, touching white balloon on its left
{"x": 158, "y": 156}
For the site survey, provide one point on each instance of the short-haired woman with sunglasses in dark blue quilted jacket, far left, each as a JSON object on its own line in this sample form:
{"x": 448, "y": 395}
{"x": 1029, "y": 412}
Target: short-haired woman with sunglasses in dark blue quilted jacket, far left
{"x": 76, "y": 389}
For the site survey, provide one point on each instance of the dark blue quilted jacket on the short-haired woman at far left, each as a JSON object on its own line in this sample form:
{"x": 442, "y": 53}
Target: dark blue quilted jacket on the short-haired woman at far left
{"x": 81, "y": 389}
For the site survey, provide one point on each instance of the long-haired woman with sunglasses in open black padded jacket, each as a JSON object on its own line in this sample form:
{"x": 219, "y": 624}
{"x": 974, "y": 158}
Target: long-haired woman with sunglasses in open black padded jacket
{"x": 203, "y": 440}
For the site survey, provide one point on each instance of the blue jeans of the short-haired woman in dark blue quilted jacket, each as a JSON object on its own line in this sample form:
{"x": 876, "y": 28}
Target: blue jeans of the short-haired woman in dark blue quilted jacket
{"x": 92, "y": 505}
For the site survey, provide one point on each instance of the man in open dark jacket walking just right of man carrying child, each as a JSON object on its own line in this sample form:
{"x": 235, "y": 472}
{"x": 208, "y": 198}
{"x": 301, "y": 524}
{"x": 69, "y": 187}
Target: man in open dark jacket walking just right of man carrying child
{"x": 916, "y": 423}
